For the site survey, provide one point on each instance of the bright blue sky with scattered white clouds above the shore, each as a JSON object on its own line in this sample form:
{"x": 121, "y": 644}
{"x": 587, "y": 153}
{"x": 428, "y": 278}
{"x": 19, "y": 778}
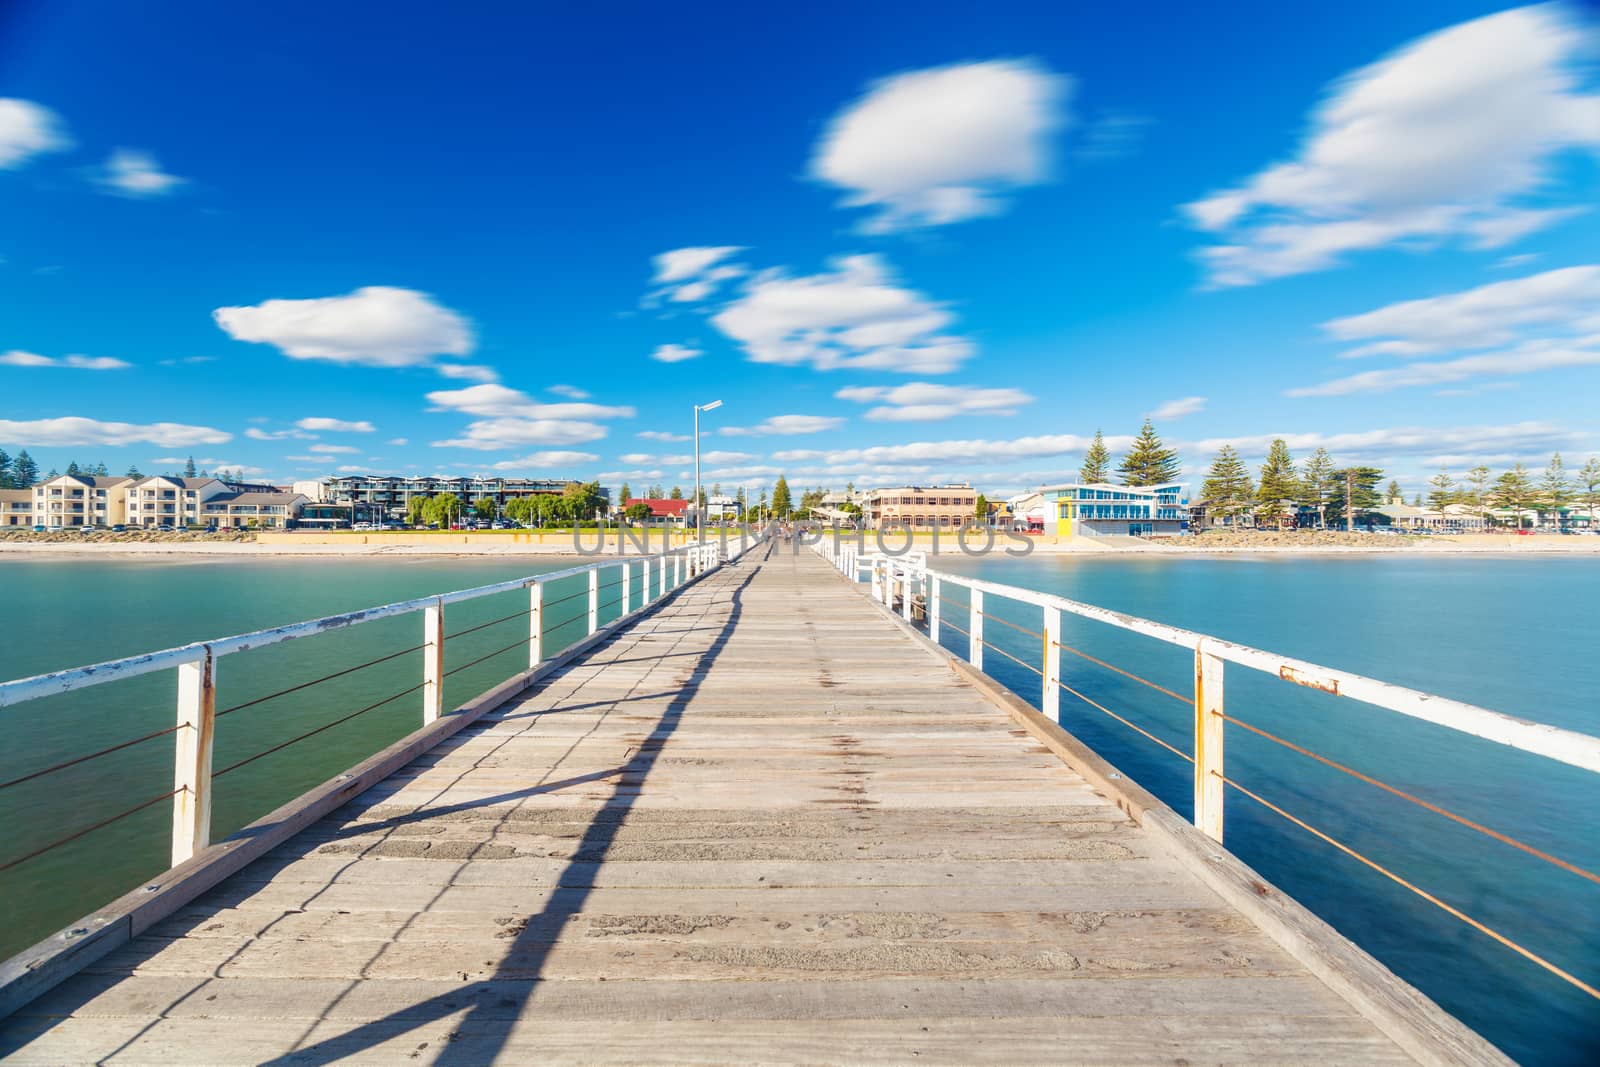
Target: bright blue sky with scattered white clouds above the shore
{"x": 918, "y": 242}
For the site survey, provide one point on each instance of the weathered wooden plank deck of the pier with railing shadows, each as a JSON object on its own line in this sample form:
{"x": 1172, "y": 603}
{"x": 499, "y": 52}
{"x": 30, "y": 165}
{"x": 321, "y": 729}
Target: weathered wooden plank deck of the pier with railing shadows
{"x": 764, "y": 825}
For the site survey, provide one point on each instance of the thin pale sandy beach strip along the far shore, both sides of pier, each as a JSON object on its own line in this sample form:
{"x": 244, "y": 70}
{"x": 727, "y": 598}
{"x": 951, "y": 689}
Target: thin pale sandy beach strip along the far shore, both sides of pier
{"x": 199, "y": 551}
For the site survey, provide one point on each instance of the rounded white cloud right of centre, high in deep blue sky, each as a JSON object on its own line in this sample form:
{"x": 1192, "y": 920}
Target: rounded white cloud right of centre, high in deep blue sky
{"x": 946, "y": 145}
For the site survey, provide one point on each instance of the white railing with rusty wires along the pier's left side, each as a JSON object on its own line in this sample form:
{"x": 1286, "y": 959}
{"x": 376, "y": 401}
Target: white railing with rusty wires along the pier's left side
{"x": 198, "y": 668}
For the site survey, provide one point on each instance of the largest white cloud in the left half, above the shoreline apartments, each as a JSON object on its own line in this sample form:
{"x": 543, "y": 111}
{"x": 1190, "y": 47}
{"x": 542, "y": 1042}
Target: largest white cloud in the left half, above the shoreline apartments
{"x": 372, "y": 327}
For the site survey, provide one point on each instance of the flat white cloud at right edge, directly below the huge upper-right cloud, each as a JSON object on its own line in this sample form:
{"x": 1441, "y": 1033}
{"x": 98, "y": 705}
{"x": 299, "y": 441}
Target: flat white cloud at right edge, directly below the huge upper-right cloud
{"x": 1487, "y": 316}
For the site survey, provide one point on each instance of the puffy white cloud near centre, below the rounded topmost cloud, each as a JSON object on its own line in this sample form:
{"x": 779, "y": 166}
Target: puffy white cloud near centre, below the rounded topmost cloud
{"x": 852, "y": 318}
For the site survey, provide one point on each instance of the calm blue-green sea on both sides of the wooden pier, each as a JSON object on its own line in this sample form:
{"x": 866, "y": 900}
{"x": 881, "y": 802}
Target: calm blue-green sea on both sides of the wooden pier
{"x": 1511, "y": 634}
